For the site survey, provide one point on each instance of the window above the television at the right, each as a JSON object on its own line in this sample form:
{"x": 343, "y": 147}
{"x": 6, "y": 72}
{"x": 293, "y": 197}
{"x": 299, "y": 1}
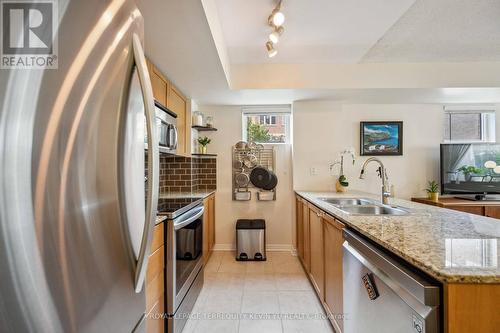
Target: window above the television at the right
{"x": 469, "y": 124}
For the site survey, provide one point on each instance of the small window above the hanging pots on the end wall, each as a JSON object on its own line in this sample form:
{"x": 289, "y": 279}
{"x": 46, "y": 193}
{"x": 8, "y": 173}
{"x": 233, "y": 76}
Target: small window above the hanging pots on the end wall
{"x": 266, "y": 124}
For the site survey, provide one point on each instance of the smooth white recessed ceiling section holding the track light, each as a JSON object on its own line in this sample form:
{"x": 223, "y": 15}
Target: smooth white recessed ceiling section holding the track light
{"x": 338, "y": 31}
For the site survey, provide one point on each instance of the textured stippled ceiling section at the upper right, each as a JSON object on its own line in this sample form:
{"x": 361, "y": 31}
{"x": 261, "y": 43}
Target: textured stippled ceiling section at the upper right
{"x": 442, "y": 30}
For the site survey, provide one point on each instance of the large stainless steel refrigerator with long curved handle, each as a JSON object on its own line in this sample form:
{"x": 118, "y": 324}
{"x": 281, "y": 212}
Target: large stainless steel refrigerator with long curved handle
{"x": 76, "y": 214}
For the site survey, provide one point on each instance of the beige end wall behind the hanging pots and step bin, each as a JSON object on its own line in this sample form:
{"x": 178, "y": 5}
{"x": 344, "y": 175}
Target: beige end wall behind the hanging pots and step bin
{"x": 278, "y": 214}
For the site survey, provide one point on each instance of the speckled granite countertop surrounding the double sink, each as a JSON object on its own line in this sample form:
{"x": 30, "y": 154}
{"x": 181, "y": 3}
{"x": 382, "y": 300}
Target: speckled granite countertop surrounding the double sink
{"x": 451, "y": 246}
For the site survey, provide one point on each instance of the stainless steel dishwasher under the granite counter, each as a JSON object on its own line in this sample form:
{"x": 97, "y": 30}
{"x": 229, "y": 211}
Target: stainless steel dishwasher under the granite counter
{"x": 382, "y": 296}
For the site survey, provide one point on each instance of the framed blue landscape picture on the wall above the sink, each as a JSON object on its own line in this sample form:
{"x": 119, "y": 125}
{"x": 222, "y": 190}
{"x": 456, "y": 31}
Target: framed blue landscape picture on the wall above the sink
{"x": 381, "y": 138}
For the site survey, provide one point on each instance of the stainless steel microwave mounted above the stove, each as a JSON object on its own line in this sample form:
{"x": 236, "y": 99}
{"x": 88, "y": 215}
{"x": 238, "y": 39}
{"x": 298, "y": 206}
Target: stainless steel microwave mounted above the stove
{"x": 166, "y": 122}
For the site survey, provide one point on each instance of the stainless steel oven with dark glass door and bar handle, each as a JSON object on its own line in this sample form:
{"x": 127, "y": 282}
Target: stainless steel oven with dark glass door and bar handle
{"x": 184, "y": 265}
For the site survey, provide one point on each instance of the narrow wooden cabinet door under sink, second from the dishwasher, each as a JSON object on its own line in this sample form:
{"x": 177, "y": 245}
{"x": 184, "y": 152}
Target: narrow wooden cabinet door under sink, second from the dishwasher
{"x": 317, "y": 273}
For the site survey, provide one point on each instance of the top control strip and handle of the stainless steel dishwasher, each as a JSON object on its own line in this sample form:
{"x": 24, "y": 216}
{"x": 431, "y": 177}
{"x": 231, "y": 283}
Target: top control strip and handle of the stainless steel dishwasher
{"x": 426, "y": 292}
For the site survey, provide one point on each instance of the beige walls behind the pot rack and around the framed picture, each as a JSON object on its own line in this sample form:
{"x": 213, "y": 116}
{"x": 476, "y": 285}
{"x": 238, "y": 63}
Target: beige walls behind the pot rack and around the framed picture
{"x": 321, "y": 129}
